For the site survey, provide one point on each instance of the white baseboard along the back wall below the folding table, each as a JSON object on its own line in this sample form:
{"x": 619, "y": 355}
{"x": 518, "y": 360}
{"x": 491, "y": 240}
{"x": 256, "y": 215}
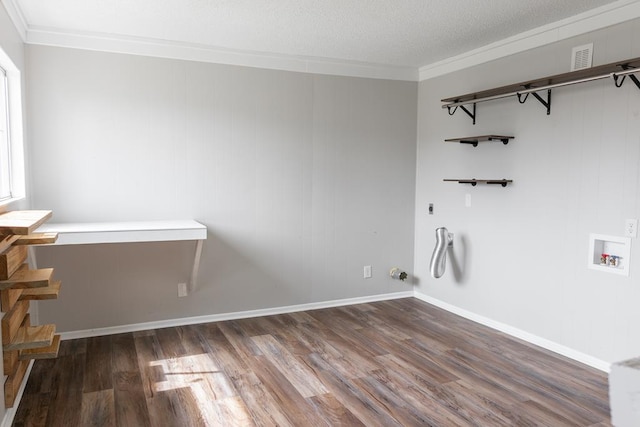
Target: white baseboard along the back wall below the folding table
{"x": 230, "y": 316}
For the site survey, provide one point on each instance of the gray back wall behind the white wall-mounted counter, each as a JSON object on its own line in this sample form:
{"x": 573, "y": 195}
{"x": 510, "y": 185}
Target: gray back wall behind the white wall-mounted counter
{"x": 301, "y": 180}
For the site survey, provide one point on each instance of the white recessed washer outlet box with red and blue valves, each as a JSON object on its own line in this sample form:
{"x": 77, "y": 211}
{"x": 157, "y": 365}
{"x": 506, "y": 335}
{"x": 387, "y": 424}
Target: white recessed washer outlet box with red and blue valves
{"x": 617, "y": 246}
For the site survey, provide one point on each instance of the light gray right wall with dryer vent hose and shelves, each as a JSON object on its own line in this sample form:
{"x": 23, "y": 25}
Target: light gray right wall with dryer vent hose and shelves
{"x": 521, "y": 251}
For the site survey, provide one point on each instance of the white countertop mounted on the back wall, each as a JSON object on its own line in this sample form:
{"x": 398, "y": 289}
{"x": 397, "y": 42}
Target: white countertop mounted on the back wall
{"x": 125, "y": 232}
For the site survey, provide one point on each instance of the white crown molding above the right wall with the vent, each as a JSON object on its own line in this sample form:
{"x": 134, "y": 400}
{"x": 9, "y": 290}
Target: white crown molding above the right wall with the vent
{"x": 595, "y": 19}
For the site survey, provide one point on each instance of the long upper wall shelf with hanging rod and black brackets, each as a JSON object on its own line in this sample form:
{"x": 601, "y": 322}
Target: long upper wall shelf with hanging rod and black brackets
{"x": 618, "y": 71}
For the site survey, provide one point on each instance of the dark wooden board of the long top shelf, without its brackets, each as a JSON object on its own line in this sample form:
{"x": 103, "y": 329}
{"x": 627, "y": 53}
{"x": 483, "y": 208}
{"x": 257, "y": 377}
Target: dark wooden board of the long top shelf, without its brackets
{"x": 545, "y": 81}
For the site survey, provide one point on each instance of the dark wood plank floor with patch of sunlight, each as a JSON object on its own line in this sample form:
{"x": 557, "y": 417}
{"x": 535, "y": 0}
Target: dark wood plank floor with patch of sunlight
{"x": 401, "y": 362}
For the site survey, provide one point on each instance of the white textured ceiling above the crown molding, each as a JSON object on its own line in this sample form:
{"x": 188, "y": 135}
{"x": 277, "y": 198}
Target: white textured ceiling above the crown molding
{"x": 400, "y": 33}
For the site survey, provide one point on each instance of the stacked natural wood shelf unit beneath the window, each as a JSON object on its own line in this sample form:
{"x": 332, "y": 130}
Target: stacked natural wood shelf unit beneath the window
{"x": 22, "y": 342}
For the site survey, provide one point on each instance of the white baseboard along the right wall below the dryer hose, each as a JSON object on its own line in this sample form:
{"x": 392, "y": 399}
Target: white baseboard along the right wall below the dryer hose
{"x": 518, "y": 333}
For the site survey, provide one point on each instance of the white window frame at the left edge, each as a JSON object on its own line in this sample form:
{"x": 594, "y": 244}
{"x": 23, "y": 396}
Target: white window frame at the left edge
{"x": 14, "y": 129}
